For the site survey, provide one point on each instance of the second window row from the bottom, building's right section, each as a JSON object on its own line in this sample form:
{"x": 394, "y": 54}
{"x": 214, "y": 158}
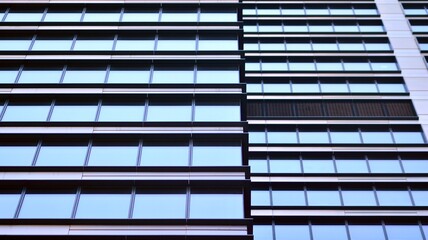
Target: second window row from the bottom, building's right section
{"x": 341, "y": 196}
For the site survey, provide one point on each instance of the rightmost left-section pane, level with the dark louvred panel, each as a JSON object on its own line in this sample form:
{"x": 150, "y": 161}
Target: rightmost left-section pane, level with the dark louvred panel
{"x": 207, "y": 113}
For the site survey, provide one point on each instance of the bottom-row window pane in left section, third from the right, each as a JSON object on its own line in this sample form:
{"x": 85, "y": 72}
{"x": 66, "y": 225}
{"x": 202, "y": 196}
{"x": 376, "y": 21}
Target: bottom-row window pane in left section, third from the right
{"x": 103, "y": 206}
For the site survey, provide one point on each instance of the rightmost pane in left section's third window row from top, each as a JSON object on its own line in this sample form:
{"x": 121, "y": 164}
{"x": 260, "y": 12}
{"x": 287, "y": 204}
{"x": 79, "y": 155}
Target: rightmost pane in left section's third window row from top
{"x": 217, "y": 76}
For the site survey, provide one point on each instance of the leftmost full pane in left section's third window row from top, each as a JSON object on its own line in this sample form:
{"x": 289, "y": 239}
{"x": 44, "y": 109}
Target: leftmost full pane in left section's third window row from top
{"x": 40, "y": 76}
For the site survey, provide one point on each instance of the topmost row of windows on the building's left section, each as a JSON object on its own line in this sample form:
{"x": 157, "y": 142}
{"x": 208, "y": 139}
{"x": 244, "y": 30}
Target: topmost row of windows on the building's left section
{"x": 128, "y": 14}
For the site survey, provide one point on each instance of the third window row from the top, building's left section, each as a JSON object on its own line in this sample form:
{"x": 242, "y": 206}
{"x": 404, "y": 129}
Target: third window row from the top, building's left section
{"x": 111, "y": 74}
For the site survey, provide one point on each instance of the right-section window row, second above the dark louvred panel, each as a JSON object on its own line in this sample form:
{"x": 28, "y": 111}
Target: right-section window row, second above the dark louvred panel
{"x": 323, "y": 65}
